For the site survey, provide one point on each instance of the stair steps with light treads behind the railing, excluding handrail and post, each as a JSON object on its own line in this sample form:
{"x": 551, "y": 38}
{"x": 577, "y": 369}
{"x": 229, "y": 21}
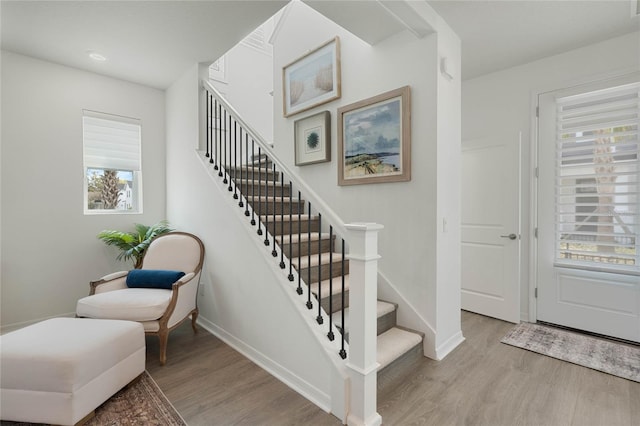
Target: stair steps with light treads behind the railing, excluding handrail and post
{"x": 316, "y": 259}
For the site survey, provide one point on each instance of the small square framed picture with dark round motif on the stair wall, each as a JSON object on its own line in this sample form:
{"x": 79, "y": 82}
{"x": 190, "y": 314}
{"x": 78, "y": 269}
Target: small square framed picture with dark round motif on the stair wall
{"x": 313, "y": 139}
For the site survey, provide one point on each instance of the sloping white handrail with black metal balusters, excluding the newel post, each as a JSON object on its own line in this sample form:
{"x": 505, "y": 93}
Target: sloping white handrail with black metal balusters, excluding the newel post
{"x": 261, "y": 183}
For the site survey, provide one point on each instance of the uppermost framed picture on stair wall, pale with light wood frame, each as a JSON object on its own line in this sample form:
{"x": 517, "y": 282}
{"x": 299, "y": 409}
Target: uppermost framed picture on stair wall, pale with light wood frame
{"x": 313, "y": 79}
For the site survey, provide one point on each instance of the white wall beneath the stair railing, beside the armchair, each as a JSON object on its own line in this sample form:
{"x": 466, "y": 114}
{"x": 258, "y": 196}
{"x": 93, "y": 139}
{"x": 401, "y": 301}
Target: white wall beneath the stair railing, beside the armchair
{"x": 245, "y": 298}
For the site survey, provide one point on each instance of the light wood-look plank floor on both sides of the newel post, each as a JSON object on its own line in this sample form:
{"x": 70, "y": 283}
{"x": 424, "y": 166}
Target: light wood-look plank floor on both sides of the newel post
{"x": 482, "y": 382}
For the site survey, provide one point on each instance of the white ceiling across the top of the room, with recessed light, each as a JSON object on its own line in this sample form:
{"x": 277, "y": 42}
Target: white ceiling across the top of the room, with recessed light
{"x": 153, "y": 42}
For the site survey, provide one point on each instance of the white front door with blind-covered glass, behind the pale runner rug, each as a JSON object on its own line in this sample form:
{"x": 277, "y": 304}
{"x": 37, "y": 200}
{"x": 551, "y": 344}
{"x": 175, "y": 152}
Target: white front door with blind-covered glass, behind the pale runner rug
{"x": 588, "y": 262}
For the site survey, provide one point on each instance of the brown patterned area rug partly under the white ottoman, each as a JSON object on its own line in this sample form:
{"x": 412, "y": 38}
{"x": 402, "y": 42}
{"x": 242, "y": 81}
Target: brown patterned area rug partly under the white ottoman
{"x": 141, "y": 403}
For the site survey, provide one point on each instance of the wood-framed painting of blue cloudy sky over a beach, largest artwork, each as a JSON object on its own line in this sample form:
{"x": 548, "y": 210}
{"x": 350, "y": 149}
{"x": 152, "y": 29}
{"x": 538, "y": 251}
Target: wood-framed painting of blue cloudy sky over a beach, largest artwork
{"x": 374, "y": 139}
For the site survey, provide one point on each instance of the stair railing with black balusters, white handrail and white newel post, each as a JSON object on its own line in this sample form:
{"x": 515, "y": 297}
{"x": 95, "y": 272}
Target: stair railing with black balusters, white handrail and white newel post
{"x": 238, "y": 153}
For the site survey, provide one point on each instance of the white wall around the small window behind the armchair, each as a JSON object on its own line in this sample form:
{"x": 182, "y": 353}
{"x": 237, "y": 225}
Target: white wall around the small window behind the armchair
{"x": 49, "y": 247}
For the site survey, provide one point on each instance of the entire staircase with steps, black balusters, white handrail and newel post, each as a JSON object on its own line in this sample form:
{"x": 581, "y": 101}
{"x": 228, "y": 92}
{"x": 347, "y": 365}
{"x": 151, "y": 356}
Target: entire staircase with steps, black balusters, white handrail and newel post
{"x": 312, "y": 256}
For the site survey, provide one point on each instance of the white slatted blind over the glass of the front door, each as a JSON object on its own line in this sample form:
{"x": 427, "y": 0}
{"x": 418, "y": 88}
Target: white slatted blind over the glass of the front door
{"x": 597, "y": 178}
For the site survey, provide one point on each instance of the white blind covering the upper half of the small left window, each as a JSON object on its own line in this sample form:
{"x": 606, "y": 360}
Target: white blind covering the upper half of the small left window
{"x": 111, "y": 142}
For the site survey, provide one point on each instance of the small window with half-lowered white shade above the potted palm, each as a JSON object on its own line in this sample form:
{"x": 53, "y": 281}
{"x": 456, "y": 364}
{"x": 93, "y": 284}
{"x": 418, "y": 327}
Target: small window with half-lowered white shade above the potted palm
{"x": 112, "y": 163}
